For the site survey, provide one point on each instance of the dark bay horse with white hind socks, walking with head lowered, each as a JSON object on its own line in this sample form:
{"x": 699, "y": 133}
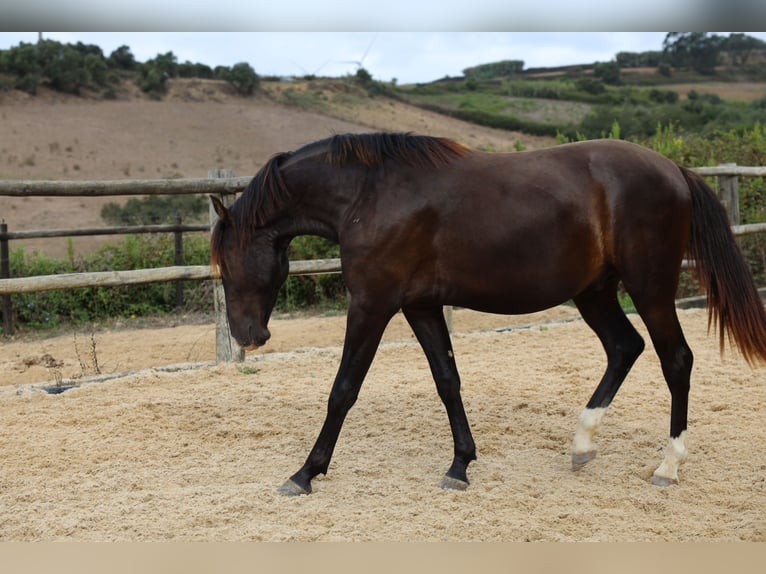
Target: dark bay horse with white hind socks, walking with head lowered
{"x": 424, "y": 222}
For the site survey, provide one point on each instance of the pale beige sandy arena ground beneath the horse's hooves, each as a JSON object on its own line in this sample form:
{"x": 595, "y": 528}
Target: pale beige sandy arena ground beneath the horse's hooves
{"x": 198, "y": 454}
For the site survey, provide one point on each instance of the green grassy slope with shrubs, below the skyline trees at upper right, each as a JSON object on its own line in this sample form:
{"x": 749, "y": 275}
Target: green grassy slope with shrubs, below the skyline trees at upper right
{"x": 575, "y": 103}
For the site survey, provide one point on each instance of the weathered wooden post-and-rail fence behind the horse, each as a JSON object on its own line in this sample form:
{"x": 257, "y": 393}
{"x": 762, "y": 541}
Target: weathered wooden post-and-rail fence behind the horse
{"x": 226, "y": 186}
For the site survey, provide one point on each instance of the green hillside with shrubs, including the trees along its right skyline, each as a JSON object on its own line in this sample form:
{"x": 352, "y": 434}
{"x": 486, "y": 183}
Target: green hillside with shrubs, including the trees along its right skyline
{"x": 589, "y": 99}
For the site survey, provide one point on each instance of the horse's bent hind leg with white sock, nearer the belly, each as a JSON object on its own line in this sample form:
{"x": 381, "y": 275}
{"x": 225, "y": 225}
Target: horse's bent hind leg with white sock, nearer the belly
{"x": 601, "y": 310}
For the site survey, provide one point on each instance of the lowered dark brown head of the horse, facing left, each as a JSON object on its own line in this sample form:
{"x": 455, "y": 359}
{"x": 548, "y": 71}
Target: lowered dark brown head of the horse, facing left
{"x": 252, "y": 266}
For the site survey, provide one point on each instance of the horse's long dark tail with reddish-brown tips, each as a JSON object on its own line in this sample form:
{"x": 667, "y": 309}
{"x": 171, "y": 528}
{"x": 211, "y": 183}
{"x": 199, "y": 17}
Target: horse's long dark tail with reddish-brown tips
{"x": 734, "y": 305}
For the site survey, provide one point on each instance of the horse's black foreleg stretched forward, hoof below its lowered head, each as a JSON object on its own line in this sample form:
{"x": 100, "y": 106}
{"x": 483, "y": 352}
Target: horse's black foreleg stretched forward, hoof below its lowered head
{"x": 363, "y": 334}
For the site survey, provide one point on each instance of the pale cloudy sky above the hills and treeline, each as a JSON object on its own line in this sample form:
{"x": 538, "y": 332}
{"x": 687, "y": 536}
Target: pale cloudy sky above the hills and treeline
{"x": 407, "y": 56}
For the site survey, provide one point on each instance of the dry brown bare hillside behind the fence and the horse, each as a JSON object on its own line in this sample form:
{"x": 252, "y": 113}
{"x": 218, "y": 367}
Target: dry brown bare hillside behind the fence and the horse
{"x": 199, "y": 125}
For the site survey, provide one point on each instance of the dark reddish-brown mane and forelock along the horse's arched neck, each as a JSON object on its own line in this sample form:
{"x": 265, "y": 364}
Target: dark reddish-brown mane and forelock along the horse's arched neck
{"x": 267, "y": 191}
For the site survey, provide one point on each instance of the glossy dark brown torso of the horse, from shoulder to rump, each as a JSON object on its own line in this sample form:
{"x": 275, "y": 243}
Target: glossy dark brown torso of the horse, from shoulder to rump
{"x": 519, "y": 232}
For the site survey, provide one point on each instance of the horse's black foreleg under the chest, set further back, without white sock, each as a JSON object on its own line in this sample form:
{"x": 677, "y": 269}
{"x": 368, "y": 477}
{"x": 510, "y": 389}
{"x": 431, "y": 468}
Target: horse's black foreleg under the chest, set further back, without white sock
{"x": 431, "y": 331}
